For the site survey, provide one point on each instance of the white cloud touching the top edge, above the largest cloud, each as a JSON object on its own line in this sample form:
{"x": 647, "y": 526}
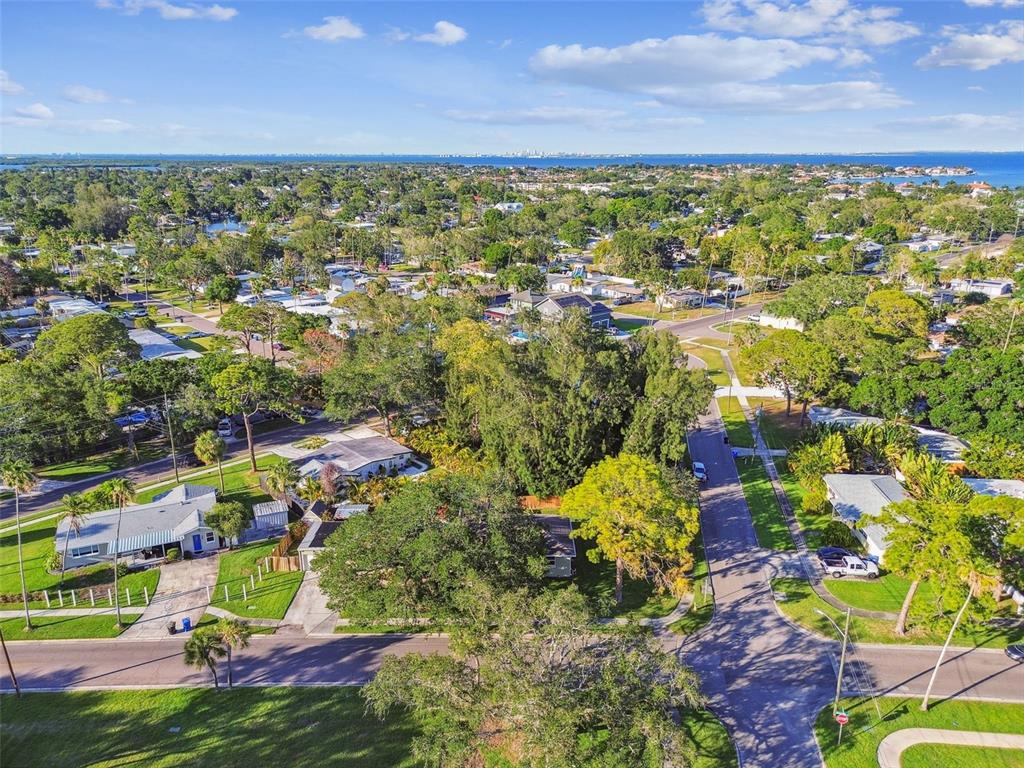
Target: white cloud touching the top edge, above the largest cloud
{"x": 837, "y": 20}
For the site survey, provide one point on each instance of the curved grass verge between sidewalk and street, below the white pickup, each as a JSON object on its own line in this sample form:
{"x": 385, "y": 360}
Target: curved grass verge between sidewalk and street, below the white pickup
{"x": 801, "y": 604}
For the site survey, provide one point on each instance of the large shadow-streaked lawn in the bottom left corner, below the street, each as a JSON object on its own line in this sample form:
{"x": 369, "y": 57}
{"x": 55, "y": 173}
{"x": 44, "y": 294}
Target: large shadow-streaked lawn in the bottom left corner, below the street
{"x": 244, "y": 727}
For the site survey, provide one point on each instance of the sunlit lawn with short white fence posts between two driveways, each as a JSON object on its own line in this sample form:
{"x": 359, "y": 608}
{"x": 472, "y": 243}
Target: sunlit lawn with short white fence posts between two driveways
{"x": 273, "y": 595}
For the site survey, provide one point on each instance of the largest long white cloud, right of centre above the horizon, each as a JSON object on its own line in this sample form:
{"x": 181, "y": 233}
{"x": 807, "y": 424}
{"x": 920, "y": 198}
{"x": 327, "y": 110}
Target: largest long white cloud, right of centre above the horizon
{"x": 712, "y": 72}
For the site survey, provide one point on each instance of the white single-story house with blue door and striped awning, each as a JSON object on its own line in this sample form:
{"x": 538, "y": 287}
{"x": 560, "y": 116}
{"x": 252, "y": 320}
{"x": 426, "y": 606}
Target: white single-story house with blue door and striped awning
{"x": 174, "y": 521}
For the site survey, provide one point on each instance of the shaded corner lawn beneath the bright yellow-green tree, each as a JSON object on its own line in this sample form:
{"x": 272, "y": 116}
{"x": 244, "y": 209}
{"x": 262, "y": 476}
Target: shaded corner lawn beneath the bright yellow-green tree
{"x": 598, "y": 581}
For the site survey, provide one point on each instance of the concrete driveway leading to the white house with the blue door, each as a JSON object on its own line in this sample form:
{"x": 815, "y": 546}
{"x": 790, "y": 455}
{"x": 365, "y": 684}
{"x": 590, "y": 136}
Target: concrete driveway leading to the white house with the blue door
{"x": 182, "y": 593}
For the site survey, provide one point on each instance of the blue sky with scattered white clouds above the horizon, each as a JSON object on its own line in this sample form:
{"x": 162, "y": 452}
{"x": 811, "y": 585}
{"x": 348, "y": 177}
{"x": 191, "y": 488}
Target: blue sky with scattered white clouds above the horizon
{"x": 172, "y": 76}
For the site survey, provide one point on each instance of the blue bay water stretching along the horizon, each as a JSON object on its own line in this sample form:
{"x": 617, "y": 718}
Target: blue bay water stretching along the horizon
{"x": 999, "y": 169}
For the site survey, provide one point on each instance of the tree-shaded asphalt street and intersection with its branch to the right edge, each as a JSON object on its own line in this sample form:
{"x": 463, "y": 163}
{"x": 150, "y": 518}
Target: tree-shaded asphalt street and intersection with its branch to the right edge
{"x": 766, "y": 678}
